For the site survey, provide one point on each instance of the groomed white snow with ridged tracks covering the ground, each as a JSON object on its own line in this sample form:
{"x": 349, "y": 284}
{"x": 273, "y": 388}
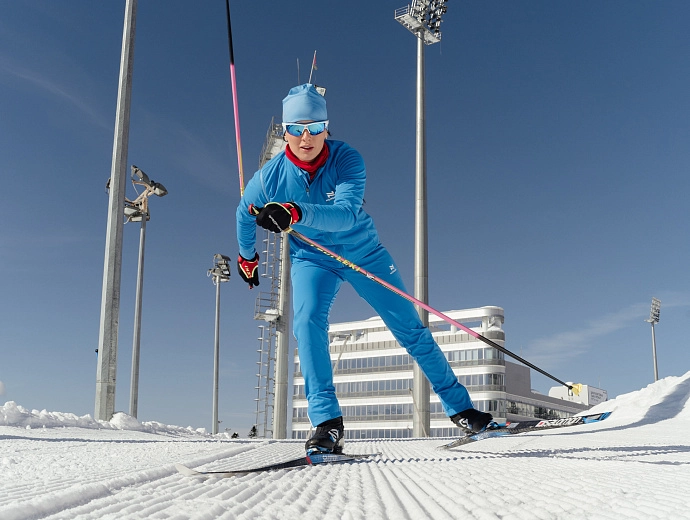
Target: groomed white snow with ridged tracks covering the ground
{"x": 634, "y": 465}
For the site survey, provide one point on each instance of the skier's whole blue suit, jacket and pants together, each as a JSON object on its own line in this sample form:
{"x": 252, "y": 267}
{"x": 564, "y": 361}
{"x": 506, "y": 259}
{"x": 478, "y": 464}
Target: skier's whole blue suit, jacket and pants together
{"x": 332, "y": 216}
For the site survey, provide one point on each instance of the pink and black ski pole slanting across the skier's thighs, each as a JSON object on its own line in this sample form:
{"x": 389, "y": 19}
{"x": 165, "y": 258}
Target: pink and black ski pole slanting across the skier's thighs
{"x": 423, "y": 305}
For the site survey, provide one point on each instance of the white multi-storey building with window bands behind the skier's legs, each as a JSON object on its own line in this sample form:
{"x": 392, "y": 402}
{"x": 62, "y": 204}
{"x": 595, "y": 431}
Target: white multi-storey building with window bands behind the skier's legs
{"x": 373, "y": 378}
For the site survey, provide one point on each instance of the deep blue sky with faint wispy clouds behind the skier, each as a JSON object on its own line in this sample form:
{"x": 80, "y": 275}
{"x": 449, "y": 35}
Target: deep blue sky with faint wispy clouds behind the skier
{"x": 557, "y": 181}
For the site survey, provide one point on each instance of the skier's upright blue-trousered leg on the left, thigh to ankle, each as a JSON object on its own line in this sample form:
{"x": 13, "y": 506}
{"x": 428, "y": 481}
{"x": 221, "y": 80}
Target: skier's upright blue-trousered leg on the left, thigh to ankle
{"x": 313, "y": 290}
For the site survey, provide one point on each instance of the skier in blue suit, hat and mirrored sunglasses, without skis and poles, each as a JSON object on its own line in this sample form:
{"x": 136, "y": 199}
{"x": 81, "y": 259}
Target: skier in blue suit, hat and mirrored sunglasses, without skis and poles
{"x": 316, "y": 187}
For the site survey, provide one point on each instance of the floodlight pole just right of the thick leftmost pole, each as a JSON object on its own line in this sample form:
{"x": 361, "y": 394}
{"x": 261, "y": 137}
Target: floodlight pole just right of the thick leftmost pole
{"x": 137, "y": 210}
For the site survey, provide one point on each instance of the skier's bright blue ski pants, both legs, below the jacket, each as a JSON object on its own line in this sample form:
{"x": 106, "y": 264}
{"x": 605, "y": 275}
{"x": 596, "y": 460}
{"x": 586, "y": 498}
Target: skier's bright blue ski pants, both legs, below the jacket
{"x": 316, "y": 280}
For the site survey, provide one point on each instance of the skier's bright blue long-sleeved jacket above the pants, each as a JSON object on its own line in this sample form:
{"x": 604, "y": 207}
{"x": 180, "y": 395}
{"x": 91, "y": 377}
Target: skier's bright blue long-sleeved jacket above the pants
{"x": 332, "y": 213}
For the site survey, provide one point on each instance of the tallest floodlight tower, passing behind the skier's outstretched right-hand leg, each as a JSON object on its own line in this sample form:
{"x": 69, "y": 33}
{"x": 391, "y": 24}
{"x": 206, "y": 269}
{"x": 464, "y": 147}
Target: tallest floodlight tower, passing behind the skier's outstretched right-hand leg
{"x": 423, "y": 19}
